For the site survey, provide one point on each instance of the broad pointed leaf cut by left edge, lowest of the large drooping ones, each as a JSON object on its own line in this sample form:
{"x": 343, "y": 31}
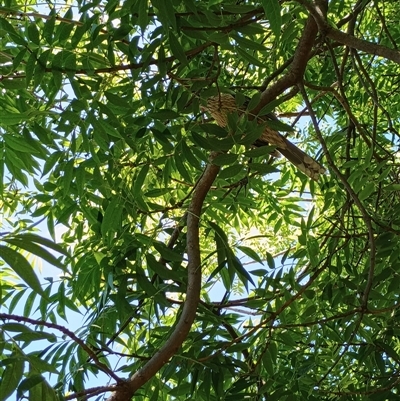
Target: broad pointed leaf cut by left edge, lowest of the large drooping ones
{"x": 22, "y": 267}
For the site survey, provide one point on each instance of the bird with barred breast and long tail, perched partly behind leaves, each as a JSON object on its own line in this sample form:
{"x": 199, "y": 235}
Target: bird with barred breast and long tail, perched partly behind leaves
{"x": 219, "y": 107}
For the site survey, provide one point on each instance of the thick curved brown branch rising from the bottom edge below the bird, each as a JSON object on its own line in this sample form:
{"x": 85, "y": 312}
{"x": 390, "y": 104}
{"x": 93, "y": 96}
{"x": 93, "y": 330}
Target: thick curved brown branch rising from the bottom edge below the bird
{"x": 126, "y": 390}
